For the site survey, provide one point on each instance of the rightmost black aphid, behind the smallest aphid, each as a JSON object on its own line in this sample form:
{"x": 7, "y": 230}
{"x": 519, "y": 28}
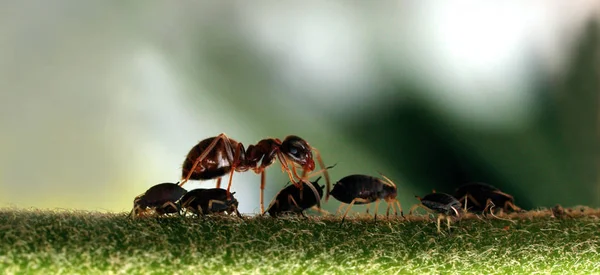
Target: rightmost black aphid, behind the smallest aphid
{"x": 479, "y": 197}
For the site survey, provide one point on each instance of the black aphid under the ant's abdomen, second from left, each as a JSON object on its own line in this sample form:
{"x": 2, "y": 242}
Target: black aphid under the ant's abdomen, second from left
{"x": 208, "y": 201}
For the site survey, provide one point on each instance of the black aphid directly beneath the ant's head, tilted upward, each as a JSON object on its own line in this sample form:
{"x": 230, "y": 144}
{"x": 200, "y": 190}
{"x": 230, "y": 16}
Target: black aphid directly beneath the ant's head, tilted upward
{"x": 292, "y": 199}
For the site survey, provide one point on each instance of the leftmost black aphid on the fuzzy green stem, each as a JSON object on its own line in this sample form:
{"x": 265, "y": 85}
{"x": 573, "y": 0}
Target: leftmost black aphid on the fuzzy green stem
{"x": 162, "y": 198}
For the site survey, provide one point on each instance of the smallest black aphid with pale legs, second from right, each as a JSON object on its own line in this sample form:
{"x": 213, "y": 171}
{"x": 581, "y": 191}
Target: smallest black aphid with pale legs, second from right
{"x": 445, "y": 205}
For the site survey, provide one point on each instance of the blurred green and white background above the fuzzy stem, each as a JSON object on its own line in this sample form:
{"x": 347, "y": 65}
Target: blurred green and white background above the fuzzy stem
{"x": 101, "y": 100}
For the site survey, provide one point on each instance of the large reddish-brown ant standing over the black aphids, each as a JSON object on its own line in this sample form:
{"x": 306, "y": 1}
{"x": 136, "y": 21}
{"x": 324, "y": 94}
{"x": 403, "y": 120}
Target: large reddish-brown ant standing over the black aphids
{"x": 216, "y": 156}
